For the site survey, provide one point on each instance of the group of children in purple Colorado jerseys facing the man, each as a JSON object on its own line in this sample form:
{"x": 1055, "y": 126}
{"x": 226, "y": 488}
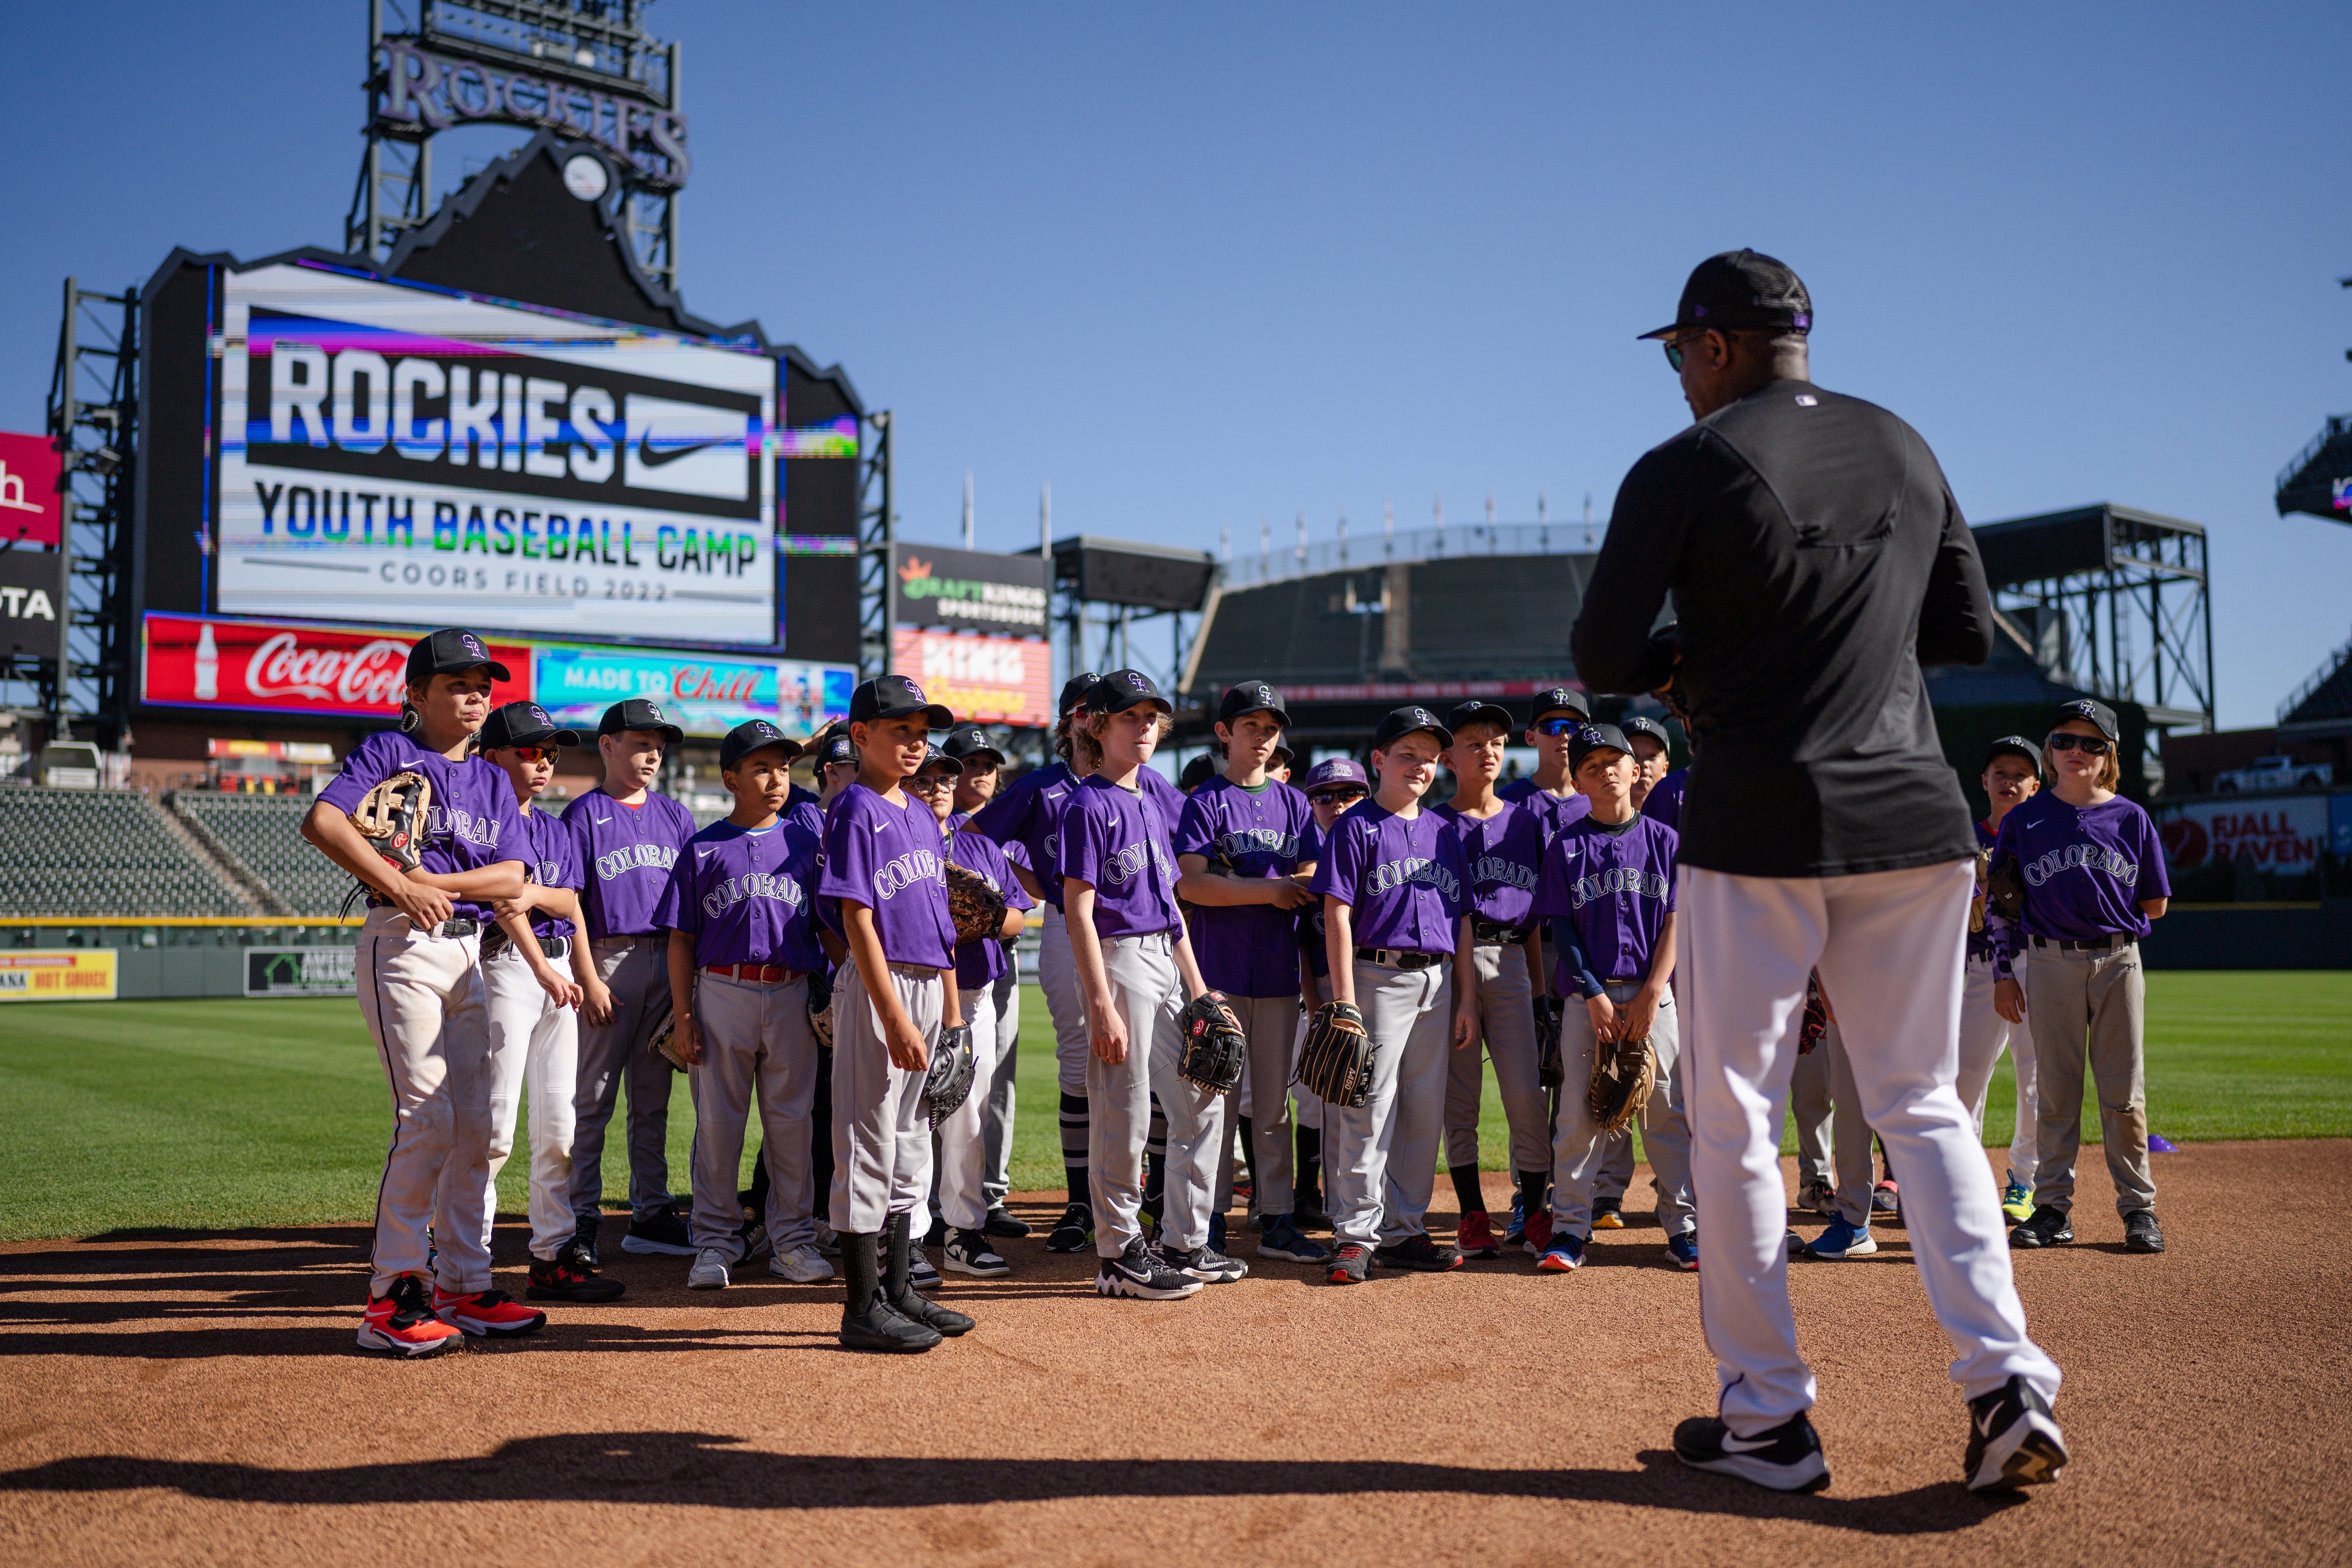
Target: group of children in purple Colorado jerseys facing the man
{"x": 806, "y": 965}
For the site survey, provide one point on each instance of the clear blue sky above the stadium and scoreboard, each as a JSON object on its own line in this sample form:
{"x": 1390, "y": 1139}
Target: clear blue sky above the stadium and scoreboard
{"x": 1203, "y": 264}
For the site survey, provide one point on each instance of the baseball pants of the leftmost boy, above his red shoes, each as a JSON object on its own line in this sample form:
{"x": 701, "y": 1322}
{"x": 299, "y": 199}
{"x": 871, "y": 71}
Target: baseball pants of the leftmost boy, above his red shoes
{"x": 425, "y": 1005}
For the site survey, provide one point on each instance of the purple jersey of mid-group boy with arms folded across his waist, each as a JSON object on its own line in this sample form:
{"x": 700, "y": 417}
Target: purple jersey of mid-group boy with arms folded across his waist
{"x": 1252, "y": 949}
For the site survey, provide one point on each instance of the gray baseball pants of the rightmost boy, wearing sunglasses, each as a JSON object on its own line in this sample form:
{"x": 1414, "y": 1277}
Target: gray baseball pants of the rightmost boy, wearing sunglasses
{"x": 2097, "y": 1000}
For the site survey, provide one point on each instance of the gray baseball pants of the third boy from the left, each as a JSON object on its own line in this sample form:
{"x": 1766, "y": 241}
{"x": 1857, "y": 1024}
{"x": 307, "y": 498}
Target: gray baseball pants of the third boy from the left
{"x": 639, "y": 974}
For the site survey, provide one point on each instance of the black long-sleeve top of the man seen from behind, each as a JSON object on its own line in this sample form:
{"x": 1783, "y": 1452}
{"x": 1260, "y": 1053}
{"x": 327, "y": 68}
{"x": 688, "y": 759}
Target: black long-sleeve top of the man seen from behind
{"x": 1817, "y": 561}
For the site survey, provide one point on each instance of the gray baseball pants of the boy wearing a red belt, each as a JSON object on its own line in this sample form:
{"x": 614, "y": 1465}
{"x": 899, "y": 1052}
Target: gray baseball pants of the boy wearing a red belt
{"x": 759, "y": 1047}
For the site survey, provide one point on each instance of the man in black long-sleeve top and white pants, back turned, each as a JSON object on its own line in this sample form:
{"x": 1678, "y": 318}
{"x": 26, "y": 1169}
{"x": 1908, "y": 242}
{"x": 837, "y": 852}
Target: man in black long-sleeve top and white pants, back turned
{"x": 1817, "y": 563}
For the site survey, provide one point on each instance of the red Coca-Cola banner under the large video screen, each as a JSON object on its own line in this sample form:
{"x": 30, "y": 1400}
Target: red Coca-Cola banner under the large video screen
{"x": 211, "y": 662}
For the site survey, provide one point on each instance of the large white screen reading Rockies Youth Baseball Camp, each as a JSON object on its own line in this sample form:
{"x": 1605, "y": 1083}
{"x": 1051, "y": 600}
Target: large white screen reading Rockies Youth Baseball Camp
{"x": 413, "y": 455}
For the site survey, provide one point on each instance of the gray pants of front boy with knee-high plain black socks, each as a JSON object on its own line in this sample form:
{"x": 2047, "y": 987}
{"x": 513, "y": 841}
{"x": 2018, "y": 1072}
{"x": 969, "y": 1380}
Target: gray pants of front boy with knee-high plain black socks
{"x": 881, "y": 1125}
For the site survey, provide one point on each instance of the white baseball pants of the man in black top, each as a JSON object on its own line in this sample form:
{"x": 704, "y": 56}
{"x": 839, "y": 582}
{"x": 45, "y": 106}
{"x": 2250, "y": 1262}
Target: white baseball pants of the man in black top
{"x": 1890, "y": 956}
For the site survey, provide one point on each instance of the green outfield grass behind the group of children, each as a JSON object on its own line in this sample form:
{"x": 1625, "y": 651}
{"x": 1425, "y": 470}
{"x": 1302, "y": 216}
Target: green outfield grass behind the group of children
{"x": 222, "y": 1115}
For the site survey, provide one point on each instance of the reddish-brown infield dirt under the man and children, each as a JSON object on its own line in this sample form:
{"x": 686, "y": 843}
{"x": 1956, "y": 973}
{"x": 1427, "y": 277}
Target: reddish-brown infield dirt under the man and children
{"x": 192, "y": 1400}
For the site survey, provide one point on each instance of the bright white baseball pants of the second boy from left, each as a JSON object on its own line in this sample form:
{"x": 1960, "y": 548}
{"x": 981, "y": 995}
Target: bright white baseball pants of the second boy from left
{"x": 533, "y": 1043}
